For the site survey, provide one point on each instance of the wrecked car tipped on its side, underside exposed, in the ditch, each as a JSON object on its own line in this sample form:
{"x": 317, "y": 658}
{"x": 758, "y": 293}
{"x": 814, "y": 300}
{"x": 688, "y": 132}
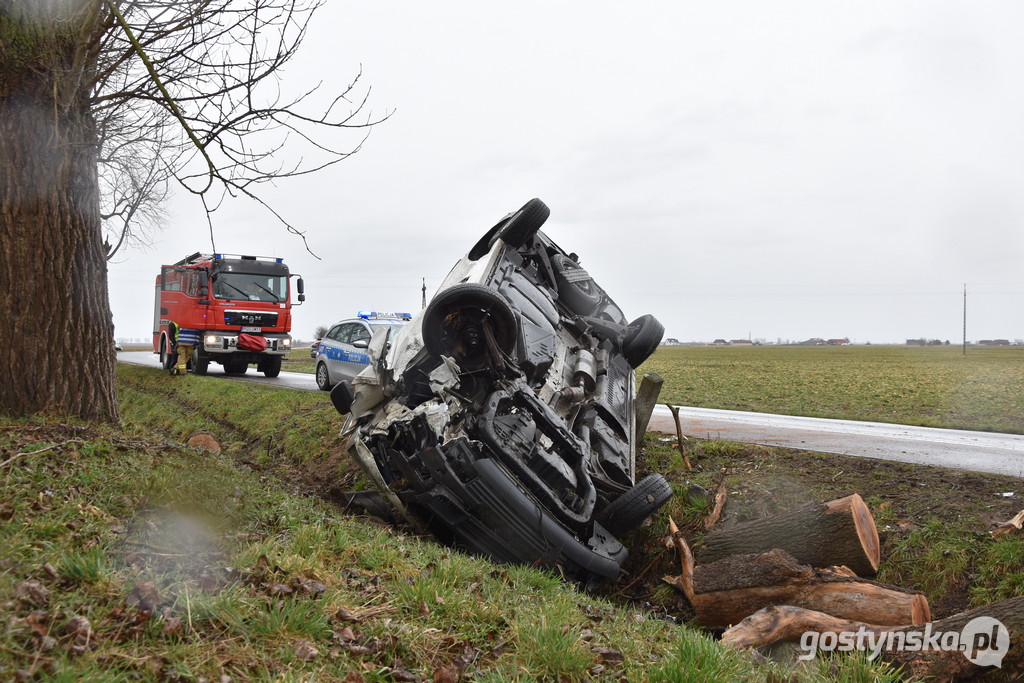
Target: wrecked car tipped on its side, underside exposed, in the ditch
{"x": 502, "y": 418}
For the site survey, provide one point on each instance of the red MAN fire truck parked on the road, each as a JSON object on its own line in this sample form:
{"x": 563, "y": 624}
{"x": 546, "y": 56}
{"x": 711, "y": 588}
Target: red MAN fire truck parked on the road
{"x": 228, "y": 296}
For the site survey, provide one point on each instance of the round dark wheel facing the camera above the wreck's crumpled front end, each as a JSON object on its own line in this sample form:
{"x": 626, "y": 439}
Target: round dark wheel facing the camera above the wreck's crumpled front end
{"x": 457, "y": 320}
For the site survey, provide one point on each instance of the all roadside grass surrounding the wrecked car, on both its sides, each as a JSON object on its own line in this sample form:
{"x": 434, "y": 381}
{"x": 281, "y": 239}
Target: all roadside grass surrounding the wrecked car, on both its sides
{"x": 127, "y": 556}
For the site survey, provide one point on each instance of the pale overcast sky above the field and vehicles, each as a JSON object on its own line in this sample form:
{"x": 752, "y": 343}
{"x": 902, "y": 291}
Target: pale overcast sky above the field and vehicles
{"x": 781, "y": 170}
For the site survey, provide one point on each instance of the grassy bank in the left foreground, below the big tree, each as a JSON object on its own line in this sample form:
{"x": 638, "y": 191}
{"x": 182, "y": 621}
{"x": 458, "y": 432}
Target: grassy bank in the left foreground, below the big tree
{"x": 127, "y": 556}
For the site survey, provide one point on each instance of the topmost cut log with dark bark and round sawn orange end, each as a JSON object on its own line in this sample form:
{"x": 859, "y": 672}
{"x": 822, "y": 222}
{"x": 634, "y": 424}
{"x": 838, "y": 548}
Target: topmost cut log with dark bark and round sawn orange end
{"x": 838, "y": 533}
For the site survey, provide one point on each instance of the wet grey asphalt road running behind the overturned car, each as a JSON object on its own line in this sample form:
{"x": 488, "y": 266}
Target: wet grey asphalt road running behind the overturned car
{"x": 979, "y": 452}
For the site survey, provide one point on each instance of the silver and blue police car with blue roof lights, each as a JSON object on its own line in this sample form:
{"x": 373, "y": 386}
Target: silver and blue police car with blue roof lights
{"x": 342, "y": 355}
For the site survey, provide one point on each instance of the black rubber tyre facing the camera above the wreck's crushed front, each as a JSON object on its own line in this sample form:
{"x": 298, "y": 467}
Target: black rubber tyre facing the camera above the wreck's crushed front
{"x": 464, "y": 304}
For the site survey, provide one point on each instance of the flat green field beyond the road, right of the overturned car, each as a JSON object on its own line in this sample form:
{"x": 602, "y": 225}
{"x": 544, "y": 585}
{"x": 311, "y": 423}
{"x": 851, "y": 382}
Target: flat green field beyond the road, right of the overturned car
{"x": 933, "y": 387}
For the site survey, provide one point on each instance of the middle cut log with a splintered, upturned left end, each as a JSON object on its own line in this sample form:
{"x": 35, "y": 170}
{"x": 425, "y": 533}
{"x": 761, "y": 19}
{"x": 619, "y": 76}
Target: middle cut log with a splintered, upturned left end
{"x": 724, "y": 593}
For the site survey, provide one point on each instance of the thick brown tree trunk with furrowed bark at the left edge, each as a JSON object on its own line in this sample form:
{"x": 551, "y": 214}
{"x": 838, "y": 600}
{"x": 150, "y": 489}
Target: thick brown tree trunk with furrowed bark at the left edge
{"x": 56, "y": 322}
